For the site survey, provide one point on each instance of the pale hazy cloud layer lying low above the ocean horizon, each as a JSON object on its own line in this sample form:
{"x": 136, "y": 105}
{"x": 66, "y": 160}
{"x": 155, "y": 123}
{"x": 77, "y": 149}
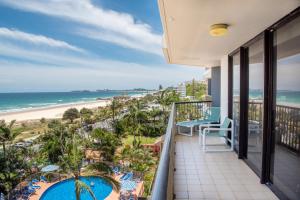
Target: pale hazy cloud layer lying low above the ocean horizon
{"x": 24, "y": 77}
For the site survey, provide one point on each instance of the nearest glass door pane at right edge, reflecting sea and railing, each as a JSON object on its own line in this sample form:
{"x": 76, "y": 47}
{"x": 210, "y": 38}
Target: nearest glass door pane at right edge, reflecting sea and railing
{"x": 285, "y": 172}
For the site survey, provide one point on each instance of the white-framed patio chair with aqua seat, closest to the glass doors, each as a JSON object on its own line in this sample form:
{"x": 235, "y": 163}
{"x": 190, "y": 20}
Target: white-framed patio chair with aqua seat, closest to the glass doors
{"x": 217, "y": 130}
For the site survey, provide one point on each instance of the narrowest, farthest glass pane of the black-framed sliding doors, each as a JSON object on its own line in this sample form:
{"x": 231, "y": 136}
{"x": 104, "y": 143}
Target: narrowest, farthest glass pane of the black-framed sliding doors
{"x": 236, "y": 98}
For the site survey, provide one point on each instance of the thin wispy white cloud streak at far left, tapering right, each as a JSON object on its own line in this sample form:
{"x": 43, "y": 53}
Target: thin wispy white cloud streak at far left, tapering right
{"x": 36, "y": 39}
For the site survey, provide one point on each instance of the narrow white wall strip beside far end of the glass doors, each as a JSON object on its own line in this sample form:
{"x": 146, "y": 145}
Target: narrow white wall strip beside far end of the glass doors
{"x": 224, "y": 87}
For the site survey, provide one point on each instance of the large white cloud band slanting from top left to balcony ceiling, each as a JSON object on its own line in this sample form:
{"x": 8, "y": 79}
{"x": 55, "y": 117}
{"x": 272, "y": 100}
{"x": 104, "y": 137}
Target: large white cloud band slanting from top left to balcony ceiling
{"x": 115, "y": 27}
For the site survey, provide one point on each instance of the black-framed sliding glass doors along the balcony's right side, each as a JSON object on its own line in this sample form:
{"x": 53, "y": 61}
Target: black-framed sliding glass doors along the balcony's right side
{"x": 264, "y": 103}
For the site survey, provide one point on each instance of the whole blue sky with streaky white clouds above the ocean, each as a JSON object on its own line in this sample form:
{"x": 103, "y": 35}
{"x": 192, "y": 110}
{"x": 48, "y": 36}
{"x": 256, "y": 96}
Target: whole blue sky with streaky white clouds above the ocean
{"x": 63, "y": 45}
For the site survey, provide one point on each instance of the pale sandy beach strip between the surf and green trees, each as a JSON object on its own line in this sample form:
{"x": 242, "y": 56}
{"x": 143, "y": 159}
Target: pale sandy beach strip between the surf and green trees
{"x": 50, "y": 112}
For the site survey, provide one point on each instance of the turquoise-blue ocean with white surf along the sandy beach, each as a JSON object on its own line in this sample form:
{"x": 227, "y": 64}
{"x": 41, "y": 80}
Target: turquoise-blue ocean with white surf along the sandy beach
{"x": 12, "y": 102}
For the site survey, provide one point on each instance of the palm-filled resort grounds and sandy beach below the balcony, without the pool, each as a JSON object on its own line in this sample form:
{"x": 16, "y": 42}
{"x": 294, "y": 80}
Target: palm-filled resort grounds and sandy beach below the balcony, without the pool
{"x": 84, "y": 140}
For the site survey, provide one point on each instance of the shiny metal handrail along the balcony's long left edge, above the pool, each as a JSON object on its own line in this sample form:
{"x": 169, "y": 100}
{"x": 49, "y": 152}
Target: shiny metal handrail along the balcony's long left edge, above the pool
{"x": 160, "y": 186}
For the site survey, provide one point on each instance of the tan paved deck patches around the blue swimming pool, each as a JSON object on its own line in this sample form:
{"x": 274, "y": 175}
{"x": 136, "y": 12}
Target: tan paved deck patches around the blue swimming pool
{"x": 112, "y": 196}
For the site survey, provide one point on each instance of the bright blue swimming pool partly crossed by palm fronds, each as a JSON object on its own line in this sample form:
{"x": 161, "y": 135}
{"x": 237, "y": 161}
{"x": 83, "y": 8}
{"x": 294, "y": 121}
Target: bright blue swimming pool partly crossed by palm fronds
{"x": 65, "y": 190}
